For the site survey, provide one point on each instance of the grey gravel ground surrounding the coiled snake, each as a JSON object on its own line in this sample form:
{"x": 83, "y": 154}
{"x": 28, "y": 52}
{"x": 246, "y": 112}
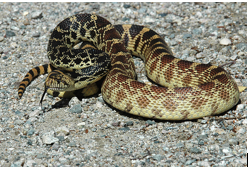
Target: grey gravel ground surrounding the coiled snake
{"x": 89, "y": 132}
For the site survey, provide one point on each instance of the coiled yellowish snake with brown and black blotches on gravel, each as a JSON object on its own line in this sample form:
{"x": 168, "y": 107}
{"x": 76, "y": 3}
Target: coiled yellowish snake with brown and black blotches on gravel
{"x": 184, "y": 90}
